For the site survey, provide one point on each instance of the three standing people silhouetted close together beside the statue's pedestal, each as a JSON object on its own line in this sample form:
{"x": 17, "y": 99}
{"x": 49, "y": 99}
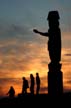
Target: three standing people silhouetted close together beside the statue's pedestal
{"x": 25, "y": 85}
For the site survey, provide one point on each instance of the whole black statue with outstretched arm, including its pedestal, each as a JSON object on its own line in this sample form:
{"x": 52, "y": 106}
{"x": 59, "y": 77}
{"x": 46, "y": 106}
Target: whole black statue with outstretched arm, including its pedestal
{"x": 55, "y": 77}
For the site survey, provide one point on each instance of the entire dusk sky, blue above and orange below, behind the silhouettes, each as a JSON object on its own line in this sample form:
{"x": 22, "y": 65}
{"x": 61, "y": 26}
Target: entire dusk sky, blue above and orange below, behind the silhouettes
{"x": 23, "y": 52}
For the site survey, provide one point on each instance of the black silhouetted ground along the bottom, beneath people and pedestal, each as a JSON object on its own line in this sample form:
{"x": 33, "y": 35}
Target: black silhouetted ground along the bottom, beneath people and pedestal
{"x": 36, "y": 100}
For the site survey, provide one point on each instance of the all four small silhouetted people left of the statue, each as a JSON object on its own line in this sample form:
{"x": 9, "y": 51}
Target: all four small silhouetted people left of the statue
{"x": 25, "y": 85}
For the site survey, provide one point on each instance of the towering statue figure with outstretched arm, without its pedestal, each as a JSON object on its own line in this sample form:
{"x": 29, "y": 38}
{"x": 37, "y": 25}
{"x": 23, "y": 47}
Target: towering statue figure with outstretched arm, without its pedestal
{"x": 54, "y": 36}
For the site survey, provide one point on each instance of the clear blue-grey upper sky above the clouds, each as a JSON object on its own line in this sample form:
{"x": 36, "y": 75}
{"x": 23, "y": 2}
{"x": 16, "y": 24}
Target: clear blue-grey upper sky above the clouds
{"x": 33, "y": 12}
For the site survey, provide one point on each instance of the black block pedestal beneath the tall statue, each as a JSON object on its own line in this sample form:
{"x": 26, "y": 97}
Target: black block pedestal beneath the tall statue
{"x": 55, "y": 81}
